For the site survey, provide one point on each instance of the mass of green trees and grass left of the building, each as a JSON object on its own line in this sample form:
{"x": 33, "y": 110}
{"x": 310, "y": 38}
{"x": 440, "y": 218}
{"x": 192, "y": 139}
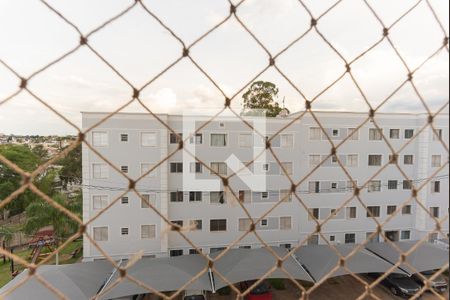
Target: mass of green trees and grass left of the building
{"x": 39, "y": 213}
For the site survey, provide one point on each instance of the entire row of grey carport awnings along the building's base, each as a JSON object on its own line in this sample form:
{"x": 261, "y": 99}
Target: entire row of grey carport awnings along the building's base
{"x": 84, "y": 280}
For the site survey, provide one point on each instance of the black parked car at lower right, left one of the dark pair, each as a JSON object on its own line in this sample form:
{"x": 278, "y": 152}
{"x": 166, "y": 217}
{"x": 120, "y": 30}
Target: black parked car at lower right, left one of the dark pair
{"x": 399, "y": 284}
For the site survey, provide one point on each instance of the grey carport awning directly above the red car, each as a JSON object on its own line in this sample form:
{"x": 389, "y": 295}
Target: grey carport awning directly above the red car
{"x": 246, "y": 264}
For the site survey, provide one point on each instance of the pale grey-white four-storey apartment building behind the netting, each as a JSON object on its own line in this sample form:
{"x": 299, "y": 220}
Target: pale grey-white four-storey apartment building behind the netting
{"x": 136, "y": 143}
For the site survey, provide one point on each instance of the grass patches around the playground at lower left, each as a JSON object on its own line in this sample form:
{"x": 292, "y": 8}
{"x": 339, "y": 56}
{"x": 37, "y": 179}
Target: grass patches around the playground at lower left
{"x": 65, "y": 257}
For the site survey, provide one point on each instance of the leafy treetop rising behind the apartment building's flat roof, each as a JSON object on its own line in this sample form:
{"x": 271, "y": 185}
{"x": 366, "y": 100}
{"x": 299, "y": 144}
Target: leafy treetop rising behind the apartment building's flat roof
{"x": 261, "y": 95}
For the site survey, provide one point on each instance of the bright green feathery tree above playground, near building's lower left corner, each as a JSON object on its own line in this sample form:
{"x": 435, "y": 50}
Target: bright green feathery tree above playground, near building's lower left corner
{"x": 40, "y": 214}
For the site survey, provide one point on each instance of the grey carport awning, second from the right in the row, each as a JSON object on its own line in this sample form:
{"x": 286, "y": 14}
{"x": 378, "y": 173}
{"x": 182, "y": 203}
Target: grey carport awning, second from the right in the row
{"x": 321, "y": 259}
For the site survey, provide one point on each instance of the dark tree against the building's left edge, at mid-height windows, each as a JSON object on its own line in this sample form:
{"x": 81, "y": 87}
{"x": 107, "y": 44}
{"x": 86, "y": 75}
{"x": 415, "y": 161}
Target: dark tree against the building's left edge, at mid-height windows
{"x": 70, "y": 172}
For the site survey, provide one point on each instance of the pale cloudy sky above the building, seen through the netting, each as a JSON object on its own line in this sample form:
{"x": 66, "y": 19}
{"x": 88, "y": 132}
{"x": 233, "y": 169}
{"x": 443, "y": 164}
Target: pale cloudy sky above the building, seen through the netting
{"x": 139, "y": 48}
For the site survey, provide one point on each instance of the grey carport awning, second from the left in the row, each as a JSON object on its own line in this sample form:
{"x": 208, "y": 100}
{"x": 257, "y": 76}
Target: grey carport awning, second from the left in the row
{"x": 162, "y": 274}
